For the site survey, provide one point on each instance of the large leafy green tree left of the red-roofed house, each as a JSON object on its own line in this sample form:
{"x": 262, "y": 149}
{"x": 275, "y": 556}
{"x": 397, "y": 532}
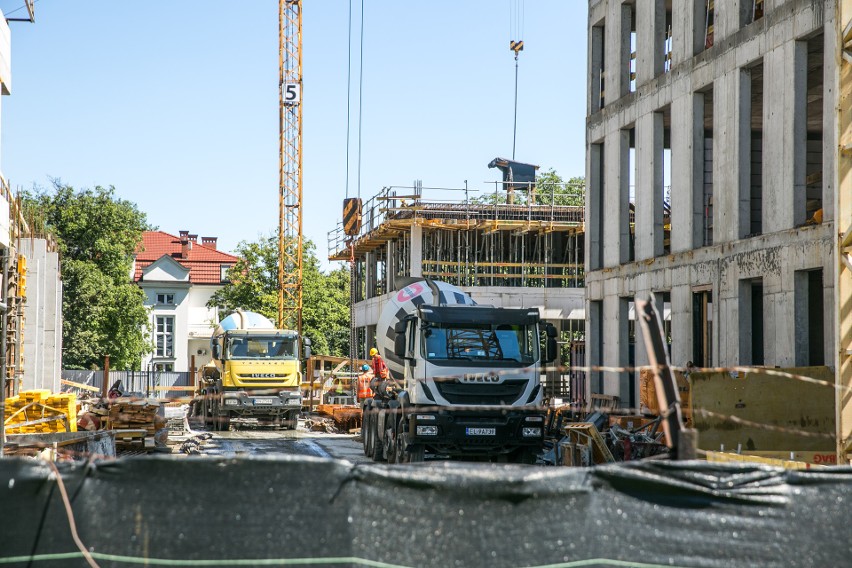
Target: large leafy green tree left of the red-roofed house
{"x": 97, "y": 235}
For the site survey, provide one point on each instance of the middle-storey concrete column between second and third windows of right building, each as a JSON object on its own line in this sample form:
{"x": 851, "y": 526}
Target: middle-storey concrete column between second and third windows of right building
{"x": 649, "y": 186}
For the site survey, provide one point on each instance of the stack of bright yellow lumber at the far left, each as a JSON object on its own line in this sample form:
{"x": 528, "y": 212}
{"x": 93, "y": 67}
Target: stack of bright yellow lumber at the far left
{"x": 40, "y": 411}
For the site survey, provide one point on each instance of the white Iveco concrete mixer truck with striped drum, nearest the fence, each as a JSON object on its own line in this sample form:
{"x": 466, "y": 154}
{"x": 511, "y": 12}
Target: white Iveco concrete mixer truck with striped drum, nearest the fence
{"x": 464, "y": 379}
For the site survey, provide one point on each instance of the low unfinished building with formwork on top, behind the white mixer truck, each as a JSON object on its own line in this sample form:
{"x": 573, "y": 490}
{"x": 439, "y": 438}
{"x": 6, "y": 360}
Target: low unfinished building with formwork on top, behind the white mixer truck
{"x": 507, "y": 248}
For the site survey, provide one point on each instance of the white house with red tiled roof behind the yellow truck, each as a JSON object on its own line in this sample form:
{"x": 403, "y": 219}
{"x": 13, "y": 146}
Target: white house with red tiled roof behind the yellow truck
{"x": 179, "y": 275}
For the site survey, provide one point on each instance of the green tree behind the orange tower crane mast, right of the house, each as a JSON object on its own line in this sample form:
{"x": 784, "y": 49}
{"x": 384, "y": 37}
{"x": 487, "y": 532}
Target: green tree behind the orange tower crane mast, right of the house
{"x": 253, "y": 286}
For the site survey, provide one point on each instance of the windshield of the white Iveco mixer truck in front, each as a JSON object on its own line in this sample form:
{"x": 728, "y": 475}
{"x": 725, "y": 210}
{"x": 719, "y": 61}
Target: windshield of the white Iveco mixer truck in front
{"x": 473, "y": 342}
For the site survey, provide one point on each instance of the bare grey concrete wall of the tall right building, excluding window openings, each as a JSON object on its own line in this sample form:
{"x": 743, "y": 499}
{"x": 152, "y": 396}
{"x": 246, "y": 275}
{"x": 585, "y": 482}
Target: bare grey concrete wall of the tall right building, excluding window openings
{"x": 776, "y": 42}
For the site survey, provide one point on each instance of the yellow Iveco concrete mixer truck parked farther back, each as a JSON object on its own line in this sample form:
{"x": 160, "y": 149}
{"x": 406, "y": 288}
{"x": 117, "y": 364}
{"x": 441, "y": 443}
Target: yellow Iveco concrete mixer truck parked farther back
{"x": 255, "y": 373}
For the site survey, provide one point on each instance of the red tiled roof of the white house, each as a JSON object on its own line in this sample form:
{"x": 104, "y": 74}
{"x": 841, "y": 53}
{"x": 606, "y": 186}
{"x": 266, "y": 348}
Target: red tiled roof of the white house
{"x": 204, "y": 262}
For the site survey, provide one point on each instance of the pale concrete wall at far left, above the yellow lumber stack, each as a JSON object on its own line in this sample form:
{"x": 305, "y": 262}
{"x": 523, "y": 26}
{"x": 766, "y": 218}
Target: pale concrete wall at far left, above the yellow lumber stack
{"x": 42, "y": 327}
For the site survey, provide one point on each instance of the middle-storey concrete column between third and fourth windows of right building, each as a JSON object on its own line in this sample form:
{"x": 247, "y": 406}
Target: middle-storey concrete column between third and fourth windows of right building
{"x": 687, "y": 155}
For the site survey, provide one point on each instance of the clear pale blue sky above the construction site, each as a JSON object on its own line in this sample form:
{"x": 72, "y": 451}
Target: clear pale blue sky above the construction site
{"x": 175, "y": 103}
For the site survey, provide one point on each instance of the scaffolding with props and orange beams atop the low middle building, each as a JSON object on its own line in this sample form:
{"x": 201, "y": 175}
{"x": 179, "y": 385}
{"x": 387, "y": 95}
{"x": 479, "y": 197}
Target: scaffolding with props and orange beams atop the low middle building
{"x": 465, "y": 242}
